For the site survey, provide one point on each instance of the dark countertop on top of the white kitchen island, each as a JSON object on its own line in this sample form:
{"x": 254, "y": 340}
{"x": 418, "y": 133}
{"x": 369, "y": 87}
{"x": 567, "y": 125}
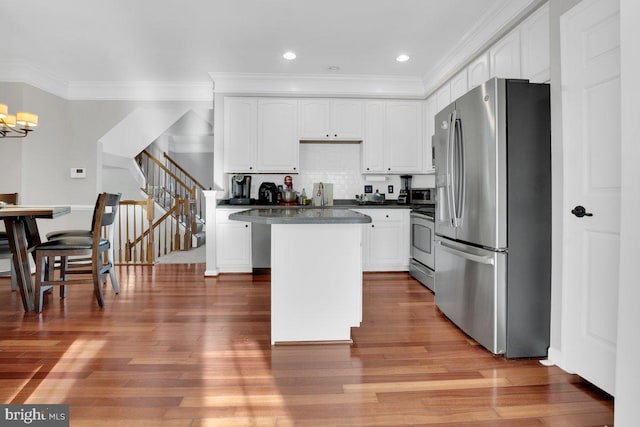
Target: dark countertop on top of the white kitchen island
{"x": 300, "y": 215}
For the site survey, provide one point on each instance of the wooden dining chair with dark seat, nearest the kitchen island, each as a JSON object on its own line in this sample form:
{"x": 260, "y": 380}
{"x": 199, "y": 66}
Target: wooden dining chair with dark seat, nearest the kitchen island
{"x": 93, "y": 246}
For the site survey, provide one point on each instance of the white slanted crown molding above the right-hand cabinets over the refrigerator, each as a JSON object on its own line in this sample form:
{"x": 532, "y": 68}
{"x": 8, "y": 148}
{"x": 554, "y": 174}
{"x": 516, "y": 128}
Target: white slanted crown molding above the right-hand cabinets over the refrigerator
{"x": 499, "y": 20}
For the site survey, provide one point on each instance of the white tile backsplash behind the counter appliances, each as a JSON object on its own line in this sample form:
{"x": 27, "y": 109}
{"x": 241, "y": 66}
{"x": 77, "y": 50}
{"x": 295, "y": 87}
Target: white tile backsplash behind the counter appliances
{"x": 339, "y": 164}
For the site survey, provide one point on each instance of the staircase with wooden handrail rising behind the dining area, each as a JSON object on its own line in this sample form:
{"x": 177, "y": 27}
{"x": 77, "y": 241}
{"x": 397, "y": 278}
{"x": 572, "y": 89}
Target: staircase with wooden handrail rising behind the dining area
{"x": 169, "y": 184}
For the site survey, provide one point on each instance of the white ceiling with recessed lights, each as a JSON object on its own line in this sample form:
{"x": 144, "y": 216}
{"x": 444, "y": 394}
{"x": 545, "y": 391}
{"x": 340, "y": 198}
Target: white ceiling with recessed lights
{"x": 100, "y": 41}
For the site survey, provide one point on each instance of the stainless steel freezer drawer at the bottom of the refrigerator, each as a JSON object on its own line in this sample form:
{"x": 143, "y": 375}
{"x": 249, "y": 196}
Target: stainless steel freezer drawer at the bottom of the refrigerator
{"x": 470, "y": 289}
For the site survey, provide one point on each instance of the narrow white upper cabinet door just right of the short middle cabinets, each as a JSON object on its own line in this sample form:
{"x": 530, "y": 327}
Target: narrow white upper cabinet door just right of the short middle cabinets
{"x": 373, "y": 141}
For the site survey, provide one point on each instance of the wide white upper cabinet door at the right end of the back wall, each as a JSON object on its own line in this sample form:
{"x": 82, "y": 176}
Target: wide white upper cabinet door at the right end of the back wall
{"x": 403, "y": 136}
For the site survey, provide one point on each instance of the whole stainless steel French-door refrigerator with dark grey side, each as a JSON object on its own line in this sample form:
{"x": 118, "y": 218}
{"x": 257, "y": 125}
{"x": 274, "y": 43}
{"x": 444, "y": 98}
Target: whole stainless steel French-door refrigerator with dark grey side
{"x": 493, "y": 216}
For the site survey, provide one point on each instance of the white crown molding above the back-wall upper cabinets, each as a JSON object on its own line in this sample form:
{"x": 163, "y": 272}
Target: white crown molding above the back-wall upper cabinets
{"x": 318, "y": 85}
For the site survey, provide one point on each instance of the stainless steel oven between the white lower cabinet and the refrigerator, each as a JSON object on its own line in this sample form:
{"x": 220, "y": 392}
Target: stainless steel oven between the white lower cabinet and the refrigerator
{"x": 422, "y": 263}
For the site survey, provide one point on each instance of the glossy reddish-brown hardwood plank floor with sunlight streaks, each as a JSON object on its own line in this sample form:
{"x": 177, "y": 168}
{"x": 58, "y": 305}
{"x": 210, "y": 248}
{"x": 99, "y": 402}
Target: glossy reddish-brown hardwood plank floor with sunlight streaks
{"x": 178, "y": 349}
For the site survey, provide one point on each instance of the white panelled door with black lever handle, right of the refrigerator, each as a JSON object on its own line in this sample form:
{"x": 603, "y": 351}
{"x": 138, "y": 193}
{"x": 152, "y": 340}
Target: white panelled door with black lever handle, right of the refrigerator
{"x": 590, "y": 34}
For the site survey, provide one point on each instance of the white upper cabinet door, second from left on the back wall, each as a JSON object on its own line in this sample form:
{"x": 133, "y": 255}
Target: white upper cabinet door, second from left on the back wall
{"x": 278, "y": 143}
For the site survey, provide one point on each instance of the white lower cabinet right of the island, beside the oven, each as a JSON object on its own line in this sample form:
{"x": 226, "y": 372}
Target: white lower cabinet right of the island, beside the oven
{"x": 385, "y": 241}
